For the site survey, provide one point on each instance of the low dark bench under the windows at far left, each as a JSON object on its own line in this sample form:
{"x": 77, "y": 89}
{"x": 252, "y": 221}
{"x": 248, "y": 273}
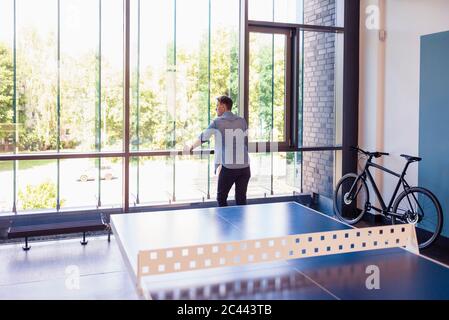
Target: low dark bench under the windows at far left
{"x": 57, "y": 224}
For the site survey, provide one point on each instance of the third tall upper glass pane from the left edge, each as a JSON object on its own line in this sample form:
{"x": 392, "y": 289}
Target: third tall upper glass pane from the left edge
{"x": 80, "y": 79}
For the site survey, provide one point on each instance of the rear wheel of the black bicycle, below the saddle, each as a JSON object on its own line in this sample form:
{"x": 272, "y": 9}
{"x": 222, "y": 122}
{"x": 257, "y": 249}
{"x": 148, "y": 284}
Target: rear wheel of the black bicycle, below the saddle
{"x": 421, "y": 208}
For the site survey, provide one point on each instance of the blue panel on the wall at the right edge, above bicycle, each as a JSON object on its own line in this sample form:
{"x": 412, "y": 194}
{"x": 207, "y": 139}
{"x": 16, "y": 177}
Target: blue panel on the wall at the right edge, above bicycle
{"x": 434, "y": 119}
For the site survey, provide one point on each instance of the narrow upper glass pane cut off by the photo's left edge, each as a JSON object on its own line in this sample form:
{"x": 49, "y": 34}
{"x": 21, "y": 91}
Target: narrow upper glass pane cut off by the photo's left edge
{"x": 6, "y": 77}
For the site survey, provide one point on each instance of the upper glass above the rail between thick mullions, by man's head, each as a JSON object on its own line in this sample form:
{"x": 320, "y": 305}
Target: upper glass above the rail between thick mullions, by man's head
{"x": 183, "y": 57}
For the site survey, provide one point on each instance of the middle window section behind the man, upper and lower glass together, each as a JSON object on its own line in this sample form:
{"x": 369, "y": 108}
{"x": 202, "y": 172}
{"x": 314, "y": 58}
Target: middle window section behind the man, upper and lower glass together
{"x": 184, "y": 54}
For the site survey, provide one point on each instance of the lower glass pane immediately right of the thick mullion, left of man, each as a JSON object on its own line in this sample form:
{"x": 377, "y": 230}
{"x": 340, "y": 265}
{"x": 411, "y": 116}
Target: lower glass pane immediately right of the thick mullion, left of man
{"x": 151, "y": 180}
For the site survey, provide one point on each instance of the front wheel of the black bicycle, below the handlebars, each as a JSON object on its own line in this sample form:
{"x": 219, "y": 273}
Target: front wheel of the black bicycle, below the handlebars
{"x": 351, "y": 198}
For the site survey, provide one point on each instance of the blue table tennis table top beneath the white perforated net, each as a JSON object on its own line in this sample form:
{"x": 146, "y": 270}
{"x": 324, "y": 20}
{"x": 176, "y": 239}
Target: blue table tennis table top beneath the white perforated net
{"x": 402, "y": 274}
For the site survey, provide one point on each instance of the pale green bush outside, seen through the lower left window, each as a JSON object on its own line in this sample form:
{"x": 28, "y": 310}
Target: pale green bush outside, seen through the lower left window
{"x": 42, "y": 196}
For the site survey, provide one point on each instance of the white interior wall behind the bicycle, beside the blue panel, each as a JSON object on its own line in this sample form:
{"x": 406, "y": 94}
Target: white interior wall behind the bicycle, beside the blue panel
{"x": 389, "y": 87}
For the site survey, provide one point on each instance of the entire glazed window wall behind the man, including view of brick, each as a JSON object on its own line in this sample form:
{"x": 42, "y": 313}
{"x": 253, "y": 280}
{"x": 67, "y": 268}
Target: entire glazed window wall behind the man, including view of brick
{"x": 63, "y": 109}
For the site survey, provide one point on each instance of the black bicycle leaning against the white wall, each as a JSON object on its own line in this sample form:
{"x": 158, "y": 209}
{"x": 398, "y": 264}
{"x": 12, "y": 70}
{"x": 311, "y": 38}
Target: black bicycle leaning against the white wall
{"x": 415, "y": 205}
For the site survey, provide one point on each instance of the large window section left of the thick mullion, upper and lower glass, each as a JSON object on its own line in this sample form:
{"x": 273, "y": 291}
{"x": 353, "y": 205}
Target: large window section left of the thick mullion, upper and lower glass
{"x": 61, "y": 91}
